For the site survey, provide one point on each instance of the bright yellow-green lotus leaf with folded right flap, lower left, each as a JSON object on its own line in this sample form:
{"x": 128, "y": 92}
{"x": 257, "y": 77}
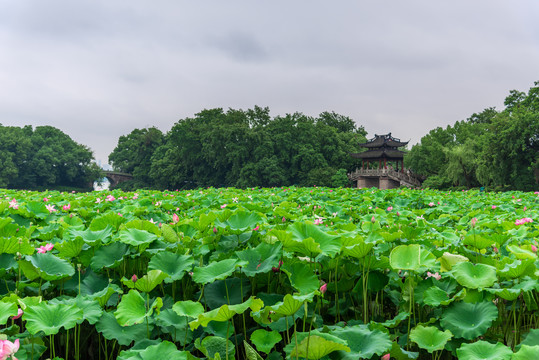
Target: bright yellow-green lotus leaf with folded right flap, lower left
{"x": 132, "y": 309}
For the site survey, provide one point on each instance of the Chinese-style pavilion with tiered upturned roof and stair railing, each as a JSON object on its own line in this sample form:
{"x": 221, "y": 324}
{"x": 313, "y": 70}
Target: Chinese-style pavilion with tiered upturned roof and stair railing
{"x": 382, "y": 165}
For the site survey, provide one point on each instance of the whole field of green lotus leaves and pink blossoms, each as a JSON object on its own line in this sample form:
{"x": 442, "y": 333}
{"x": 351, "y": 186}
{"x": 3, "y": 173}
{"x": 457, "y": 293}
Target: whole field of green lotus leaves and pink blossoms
{"x": 282, "y": 273}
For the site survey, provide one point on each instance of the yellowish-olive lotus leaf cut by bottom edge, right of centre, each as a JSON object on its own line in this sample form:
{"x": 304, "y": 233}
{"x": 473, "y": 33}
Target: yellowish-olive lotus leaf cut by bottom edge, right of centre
{"x": 315, "y": 346}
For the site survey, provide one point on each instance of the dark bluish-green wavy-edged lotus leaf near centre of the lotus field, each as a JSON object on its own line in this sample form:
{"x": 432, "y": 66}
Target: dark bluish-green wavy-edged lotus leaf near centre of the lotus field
{"x": 260, "y": 259}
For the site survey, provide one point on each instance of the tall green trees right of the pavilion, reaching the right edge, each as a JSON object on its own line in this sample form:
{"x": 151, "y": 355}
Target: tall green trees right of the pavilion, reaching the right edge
{"x": 494, "y": 149}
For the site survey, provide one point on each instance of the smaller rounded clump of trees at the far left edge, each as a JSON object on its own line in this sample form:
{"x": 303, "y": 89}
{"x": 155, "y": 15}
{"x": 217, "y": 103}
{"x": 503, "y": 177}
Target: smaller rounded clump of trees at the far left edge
{"x": 44, "y": 158}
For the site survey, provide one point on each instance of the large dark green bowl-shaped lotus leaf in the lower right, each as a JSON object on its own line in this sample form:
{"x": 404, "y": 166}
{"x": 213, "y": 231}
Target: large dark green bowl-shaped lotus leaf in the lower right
{"x": 469, "y": 320}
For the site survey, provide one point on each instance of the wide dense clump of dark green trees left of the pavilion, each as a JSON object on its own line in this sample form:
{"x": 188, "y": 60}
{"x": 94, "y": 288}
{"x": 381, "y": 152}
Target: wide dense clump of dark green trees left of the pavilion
{"x": 240, "y": 148}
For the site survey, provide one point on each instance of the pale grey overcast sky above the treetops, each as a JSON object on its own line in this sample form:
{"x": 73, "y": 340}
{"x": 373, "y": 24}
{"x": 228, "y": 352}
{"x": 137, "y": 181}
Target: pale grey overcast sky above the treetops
{"x": 97, "y": 69}
